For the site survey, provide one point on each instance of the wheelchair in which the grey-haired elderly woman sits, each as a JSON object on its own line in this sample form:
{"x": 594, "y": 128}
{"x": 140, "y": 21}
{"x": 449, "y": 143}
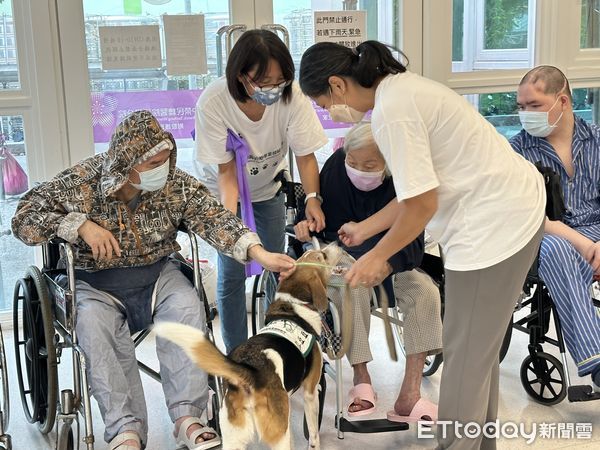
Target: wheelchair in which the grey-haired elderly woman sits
{"x": 263, "y": 293}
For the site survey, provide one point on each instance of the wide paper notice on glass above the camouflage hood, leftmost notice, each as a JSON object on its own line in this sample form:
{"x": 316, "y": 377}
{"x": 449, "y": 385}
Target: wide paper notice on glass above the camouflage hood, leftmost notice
{"x": 130, "y": 47}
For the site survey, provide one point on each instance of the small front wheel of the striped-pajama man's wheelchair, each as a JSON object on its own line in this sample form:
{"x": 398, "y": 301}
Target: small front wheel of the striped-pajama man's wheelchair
{"x": 543, "y": 378}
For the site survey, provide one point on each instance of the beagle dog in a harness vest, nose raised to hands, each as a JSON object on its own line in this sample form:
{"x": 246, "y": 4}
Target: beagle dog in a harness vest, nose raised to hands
{"x": 260, "y": 374}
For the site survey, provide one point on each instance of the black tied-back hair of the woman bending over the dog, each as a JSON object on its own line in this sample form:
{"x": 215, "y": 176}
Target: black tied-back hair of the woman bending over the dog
{"x": 370, "y": 61}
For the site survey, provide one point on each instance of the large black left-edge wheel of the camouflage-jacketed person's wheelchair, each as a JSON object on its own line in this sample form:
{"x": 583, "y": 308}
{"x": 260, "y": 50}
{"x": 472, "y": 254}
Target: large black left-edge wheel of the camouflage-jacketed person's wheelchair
{"x": 35, "y": 352}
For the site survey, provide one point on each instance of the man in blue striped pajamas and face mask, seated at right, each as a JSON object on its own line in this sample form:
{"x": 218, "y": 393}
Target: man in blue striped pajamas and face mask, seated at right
{"x": 570, "y": 250}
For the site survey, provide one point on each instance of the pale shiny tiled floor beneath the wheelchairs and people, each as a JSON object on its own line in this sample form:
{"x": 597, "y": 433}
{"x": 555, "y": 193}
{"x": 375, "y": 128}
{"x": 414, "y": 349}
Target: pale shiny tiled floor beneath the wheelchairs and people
{"x": 514, "y": 406}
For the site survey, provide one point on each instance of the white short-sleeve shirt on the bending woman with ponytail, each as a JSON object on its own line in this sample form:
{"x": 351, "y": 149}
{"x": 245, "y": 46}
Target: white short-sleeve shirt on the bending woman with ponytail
{"x": 491, "y": 201}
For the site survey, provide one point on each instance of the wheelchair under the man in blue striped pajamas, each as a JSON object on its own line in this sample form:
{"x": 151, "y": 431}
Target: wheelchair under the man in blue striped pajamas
{"x": 545, "y": 379}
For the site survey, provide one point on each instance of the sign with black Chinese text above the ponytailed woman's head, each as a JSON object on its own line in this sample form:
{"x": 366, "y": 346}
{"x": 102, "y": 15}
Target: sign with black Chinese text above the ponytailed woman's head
{"x": 348, "y": 28}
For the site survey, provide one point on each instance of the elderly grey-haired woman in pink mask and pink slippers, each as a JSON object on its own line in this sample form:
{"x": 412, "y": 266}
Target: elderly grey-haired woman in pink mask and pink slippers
{"x": 356, "y": 185}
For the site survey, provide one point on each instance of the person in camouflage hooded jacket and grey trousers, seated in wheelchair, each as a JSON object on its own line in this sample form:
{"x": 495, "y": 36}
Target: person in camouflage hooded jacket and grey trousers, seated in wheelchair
{"x": 120, "y": 211}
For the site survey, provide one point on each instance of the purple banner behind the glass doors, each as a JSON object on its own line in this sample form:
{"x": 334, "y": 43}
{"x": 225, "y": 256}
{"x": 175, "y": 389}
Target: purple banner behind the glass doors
{"x": 175, "y": 110}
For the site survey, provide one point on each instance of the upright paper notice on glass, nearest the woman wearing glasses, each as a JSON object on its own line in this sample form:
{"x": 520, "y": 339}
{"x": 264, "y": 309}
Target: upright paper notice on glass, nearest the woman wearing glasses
{"x": 184, "y": 44}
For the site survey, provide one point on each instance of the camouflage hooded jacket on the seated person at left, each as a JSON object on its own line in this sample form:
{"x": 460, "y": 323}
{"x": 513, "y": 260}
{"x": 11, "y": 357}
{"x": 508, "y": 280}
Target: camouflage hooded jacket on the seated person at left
{"x": 87, "y": 191}
